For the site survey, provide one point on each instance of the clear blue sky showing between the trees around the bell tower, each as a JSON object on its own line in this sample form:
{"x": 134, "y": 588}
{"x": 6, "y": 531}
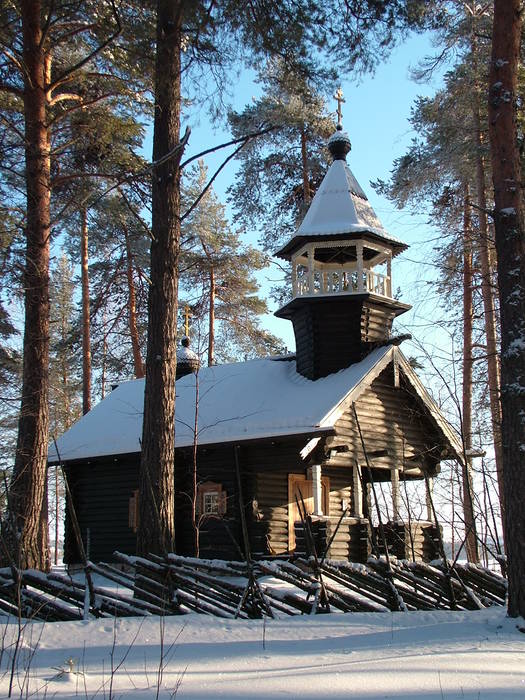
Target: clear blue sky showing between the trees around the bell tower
{"x": 375, "y": 115}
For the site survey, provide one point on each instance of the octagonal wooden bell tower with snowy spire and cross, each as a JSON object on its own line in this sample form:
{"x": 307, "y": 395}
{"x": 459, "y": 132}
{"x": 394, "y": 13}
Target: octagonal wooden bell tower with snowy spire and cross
{"x": 341, "y": 258}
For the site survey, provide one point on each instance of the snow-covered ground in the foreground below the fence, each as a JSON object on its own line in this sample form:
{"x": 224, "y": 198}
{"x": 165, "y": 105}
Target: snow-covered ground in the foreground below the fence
{"x": 429, "y": 655}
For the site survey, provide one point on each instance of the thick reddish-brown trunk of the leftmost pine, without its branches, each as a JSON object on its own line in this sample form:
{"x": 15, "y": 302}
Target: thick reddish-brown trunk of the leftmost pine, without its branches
{"x": 28, "y": 492}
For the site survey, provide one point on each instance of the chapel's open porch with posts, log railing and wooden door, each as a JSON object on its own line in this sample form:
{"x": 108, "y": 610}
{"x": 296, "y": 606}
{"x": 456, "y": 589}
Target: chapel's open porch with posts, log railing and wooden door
{"x": 355, "y": 532}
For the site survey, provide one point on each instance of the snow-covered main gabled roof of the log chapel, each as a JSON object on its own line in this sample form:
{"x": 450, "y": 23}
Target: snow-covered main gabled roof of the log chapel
{"x": 243, "y": 401}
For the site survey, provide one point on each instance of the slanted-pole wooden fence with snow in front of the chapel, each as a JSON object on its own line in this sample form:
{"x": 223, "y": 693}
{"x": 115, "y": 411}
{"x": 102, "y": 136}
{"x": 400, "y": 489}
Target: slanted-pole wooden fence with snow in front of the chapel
{"x": 176, "y": 585}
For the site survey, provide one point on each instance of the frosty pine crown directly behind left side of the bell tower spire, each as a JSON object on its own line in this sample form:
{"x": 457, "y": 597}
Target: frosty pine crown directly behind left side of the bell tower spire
{"x": 280, "y": 172}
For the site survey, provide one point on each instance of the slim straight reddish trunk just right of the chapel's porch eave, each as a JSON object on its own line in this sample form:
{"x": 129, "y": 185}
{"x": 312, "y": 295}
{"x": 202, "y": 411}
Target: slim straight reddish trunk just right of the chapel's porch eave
{"x": 468, "y": 505}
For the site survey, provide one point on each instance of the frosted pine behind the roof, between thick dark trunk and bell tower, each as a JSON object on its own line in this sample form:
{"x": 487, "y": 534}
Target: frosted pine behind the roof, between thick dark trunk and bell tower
{"x": 217, "y": 280}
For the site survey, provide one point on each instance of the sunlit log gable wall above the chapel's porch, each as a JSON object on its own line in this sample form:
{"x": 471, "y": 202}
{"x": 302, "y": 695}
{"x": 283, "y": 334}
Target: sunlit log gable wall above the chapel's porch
{"x": 397, "y": 428}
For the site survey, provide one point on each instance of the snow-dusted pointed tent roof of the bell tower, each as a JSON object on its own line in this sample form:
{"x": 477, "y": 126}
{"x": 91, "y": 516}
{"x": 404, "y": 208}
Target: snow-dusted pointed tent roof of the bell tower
{"x": 340, "y": 207}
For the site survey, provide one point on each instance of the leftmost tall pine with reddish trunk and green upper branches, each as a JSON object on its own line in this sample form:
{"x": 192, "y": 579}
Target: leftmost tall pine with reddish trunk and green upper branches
{"x": 58, "y": 59}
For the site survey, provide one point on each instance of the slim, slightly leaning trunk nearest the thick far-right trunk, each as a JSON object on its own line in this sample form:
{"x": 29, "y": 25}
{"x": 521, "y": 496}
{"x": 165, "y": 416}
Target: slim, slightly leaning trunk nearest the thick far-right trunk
{"x": 487, "y": 289}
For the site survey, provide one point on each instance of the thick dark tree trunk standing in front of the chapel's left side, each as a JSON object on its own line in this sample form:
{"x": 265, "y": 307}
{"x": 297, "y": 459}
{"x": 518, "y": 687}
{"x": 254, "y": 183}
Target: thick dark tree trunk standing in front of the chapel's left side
{"x": 156, "y": 529}
